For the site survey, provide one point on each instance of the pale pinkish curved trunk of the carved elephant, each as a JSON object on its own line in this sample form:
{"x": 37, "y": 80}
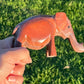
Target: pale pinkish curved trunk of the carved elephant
{"x": 78, "y": 47}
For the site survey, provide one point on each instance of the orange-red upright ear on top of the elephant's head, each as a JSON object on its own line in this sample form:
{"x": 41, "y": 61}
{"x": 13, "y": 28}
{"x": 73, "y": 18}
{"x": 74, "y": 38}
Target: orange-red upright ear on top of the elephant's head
{"x": 61, "y": 21}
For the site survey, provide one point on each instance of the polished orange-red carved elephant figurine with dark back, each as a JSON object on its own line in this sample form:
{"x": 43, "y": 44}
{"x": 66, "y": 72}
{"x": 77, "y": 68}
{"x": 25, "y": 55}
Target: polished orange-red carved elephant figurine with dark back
{"x": 39, "y": 31}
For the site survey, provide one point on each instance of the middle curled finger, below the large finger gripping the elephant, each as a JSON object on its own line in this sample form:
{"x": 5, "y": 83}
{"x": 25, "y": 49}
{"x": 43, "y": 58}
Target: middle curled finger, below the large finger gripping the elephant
{"x": 18, "y": 70}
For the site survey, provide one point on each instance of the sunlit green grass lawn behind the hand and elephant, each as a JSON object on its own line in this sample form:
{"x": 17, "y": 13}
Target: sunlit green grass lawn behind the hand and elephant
{"x": 48, "y": 70}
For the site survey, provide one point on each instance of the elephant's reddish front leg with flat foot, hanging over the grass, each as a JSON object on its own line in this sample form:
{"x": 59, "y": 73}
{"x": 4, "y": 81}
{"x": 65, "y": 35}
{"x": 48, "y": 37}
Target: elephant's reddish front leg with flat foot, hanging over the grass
{"x": 51, "y": 50}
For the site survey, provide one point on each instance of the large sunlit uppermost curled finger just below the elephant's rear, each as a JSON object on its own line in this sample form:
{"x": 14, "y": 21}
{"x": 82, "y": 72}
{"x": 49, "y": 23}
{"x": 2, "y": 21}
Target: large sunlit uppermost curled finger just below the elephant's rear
{"x": 17, "y": 56}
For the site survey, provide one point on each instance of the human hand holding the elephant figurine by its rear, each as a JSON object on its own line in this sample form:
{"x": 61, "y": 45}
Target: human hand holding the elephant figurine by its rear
{"x": 13, "y": 61}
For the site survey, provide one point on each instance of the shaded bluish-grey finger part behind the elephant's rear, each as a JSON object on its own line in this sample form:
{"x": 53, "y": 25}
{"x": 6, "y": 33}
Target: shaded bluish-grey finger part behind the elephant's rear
{"x": 7, "y": 43}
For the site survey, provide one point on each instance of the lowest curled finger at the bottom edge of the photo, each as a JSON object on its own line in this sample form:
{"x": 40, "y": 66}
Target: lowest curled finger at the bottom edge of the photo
{"x": 15, "y": 79}
